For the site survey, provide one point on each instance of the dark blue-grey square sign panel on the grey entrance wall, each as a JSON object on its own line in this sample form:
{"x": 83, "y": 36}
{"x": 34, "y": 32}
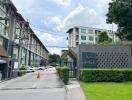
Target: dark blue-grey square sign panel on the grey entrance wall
{"x": 89, "y": 60}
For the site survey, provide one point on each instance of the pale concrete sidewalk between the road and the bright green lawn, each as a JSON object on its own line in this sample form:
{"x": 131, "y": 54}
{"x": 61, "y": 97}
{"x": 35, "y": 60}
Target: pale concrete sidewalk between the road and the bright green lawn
{"x": 74, "y": 91}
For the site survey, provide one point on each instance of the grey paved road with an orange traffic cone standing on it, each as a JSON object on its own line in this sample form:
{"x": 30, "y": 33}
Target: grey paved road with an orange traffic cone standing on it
{"x": 48, "y": 87}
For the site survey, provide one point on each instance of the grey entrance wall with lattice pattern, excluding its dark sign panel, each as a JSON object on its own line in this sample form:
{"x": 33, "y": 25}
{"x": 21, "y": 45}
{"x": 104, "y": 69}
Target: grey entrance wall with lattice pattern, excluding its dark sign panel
{"x": 107, "y": 56}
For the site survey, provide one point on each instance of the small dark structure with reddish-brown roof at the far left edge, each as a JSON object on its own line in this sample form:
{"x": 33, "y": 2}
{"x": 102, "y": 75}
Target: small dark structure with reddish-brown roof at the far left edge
{"x": 3, "y": 63}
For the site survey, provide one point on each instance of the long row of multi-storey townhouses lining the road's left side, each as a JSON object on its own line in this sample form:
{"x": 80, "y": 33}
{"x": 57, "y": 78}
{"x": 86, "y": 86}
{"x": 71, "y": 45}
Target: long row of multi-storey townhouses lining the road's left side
{"x": 19, "y": 46}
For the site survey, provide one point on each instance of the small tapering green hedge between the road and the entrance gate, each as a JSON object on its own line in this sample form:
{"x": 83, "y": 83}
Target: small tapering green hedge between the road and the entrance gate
{"x": 63, "y": 74}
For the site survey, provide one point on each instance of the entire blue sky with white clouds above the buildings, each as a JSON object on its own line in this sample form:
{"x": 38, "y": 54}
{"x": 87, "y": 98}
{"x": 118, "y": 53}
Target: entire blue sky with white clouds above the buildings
{"x": 50, "y": 19}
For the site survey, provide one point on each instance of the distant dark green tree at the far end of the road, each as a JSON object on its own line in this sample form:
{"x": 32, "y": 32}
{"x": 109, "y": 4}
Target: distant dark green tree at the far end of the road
{"x": 54, "y": 59}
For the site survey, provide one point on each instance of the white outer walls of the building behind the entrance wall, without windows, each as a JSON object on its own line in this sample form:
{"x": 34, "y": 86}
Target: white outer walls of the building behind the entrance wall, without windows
{"x": 89, "y": 33}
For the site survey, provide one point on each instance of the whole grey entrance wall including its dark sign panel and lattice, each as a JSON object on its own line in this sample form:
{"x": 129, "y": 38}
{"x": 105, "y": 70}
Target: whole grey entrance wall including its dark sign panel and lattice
{"x": 104, "y": 56}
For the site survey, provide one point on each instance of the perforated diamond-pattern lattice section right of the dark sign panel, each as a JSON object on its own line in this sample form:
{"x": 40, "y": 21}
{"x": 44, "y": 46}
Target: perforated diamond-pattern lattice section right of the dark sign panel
{"x": 111, "y": 59}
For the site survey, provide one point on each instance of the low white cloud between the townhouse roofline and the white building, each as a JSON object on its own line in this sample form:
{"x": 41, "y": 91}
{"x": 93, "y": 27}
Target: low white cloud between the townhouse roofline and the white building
{"x": 51, "y": 40}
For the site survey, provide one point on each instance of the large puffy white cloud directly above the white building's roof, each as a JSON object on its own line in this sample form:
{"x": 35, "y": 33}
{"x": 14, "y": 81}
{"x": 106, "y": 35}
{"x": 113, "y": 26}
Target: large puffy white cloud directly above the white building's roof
{"x": 82, "y": 16}
